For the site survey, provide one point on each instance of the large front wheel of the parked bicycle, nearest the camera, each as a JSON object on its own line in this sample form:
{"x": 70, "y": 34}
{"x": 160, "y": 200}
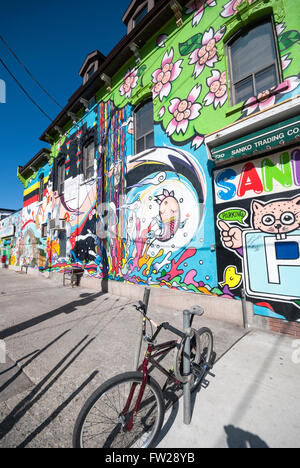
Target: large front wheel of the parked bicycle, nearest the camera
{"x": 103, "y": 420}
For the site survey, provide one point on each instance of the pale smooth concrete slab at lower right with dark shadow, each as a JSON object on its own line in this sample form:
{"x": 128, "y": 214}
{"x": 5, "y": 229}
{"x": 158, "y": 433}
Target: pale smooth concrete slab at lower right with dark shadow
{"x": 251, "y": 402}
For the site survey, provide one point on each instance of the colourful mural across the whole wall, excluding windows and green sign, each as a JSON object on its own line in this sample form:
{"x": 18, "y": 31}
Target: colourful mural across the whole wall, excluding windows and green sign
{"x": 165, "y": 217}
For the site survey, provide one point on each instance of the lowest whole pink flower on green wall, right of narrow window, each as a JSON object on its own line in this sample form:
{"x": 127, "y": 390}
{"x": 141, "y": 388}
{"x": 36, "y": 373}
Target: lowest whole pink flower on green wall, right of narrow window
{"x": 183, "y": 111}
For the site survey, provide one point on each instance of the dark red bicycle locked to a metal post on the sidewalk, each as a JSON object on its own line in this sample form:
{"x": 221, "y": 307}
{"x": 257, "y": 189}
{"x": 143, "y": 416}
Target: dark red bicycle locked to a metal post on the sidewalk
{"x": 128, "y": 409}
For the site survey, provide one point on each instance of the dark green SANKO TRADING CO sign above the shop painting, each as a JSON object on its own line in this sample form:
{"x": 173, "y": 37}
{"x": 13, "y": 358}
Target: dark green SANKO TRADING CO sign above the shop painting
{"x": 262, "y": 141}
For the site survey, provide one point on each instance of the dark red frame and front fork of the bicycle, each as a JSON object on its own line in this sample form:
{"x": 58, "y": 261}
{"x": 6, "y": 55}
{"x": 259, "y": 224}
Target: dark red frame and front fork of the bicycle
{"x": 149, "y": 358}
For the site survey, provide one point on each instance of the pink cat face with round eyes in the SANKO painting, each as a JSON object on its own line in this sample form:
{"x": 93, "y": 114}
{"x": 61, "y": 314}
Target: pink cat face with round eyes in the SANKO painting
{"x": 279, "y": 217}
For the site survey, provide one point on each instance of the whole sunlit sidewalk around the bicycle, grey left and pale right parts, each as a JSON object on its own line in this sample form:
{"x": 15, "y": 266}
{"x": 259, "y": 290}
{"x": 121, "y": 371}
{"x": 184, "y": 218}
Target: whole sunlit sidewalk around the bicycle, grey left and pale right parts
{"x": 62, "y": 343}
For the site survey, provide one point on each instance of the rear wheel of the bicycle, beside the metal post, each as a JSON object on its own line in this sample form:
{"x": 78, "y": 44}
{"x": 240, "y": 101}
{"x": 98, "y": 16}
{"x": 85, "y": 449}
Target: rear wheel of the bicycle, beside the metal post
{"x": 200, "y": 357}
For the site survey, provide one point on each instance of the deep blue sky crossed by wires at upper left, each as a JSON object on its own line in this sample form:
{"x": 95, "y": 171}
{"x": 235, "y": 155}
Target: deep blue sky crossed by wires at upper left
{"x": 52, "y": 39}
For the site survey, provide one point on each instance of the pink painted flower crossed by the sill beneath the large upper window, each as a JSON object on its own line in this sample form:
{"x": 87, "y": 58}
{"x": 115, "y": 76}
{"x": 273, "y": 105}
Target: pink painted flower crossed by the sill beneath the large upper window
{"x": 269, "y": 97}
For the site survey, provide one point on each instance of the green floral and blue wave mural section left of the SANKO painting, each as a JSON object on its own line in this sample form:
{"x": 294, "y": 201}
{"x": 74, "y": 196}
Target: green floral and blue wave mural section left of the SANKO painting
{"x": 163, "y": 215}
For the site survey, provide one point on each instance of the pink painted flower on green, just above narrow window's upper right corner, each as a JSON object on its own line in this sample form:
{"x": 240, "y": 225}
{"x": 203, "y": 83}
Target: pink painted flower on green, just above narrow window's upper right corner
{"x": 165, "y": 75}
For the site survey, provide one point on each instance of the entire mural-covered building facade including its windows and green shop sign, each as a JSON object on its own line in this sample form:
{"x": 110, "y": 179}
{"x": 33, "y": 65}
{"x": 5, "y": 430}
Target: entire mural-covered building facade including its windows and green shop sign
{"x": 176, "y": 164}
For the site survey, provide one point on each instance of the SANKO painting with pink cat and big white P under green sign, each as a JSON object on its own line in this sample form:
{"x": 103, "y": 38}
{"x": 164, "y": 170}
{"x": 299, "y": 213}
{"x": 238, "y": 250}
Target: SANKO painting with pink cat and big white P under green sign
{"x": 257, "y": 207}
